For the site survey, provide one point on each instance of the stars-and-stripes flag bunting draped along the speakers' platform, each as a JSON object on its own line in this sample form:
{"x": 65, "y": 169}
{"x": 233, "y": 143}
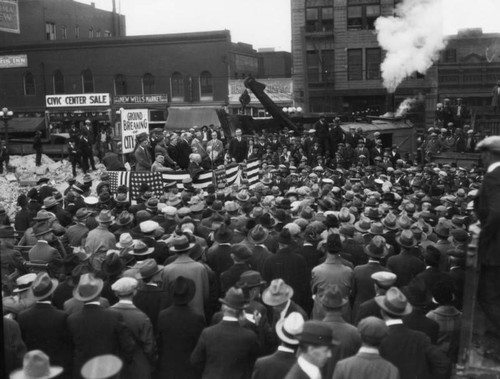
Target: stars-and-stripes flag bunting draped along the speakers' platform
{"x": 157, "y": 180}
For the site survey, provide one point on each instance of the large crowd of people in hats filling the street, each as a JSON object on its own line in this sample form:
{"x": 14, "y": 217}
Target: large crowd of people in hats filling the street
{"x": 346, "y": 260}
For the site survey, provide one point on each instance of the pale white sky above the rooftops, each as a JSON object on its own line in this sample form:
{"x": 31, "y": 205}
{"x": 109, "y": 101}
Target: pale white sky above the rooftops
{"x": 265, "y": 23}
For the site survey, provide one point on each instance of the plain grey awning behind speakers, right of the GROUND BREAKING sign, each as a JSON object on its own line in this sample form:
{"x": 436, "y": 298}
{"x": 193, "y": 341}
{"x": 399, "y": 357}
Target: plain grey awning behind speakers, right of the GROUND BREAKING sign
{"x": 187, "y": 117}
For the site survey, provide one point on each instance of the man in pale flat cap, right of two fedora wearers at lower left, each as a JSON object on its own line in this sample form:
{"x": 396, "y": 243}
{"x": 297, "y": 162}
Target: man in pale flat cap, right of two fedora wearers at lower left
{"x": 145, "y": 353}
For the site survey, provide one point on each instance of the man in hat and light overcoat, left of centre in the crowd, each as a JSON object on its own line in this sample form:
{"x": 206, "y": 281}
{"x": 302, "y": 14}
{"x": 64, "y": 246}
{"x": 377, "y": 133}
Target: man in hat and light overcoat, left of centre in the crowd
{"x": 185, "y": 266}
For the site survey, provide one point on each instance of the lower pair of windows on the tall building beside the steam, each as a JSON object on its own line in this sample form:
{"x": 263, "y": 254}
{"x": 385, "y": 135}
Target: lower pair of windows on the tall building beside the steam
{"x": 321, "y": 64}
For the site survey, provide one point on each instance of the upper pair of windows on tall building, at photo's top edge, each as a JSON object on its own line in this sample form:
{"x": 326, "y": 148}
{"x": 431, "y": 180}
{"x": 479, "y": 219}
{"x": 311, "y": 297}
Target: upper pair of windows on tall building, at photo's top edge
{"x": 359, "y": 16}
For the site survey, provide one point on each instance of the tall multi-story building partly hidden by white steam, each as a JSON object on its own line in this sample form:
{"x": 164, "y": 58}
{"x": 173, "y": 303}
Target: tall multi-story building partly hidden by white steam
{"x": 336, "y": 58}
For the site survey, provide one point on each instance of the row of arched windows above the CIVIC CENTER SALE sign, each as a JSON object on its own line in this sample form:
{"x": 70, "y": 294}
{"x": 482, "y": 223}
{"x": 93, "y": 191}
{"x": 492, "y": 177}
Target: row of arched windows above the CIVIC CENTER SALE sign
{"x": 180, "y": 85}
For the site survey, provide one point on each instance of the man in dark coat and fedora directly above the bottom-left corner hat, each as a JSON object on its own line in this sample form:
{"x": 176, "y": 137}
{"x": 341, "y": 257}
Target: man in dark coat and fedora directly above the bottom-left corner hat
{"x": 43, "y": 327}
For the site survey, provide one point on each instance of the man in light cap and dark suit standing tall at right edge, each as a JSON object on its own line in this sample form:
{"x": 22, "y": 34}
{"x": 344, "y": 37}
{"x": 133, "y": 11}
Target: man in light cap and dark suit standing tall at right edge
{"x": 488, "y": 212}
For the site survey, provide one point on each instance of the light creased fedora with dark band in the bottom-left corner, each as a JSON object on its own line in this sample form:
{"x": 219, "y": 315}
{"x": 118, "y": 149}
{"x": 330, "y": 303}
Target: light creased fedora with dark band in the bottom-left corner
{"x": 36, "y": 364}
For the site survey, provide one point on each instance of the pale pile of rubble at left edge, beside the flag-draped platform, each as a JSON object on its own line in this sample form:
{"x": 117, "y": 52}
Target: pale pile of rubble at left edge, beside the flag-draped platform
{"x": 23, "y": 175}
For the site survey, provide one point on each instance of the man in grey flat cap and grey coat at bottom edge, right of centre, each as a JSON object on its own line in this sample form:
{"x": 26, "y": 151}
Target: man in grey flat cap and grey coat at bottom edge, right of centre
{"x": 368, "y": 363}
